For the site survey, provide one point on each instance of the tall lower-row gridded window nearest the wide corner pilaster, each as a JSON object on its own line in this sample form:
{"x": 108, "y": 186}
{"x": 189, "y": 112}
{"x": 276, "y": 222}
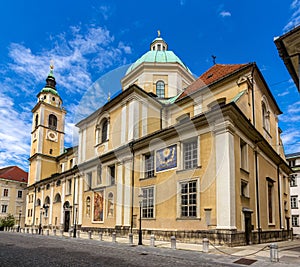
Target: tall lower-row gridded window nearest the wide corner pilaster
{"x": 189, "y": 199}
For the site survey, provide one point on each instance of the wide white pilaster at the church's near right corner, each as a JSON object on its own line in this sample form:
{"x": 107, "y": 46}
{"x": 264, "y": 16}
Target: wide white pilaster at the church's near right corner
{"x": 225, "y": 177}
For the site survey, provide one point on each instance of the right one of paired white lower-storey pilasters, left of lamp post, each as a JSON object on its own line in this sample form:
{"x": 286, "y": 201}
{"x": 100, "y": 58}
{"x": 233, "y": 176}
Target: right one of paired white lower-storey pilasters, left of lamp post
{"x": 127, "y": 193}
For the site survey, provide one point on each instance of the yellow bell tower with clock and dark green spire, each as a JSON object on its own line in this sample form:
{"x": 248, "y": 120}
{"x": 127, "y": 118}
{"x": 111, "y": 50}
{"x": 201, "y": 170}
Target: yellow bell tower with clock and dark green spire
{"x": 47, "y": 135}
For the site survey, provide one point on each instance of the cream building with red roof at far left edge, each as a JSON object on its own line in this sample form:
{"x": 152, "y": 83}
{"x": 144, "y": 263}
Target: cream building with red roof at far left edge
{"x": 13, "y": 183}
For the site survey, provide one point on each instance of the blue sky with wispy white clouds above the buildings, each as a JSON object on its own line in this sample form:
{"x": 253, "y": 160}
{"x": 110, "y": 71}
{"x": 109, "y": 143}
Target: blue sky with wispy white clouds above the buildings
{"x": 87, "y": 39}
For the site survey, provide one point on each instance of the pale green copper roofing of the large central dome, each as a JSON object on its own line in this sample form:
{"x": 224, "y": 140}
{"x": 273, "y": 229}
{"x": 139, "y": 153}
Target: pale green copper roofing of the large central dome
{"x": 157, "y": 57}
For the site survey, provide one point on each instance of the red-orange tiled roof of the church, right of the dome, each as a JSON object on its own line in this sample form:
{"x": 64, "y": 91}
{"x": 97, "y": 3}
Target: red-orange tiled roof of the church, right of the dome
{"x": 215, "y": 73}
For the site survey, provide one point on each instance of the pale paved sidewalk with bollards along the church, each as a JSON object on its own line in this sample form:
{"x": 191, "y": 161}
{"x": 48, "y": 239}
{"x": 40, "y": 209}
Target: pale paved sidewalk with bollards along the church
{"x": 288, "y": 251}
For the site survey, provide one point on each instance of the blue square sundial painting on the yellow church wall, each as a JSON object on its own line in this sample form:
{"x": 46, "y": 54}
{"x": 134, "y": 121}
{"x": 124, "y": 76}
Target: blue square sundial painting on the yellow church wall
{"x": 166, "y": 158}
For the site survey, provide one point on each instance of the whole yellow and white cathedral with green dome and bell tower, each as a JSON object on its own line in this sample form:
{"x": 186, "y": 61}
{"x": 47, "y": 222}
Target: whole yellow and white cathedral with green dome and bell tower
{"x": 183, "y": 156}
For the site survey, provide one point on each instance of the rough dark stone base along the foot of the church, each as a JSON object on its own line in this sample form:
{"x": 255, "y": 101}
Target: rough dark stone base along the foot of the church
{"x": 229, "y": 238}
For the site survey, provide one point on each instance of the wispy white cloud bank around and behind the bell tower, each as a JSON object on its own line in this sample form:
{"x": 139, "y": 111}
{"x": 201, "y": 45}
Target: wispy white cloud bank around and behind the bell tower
{"x": 76, "y": 54}
